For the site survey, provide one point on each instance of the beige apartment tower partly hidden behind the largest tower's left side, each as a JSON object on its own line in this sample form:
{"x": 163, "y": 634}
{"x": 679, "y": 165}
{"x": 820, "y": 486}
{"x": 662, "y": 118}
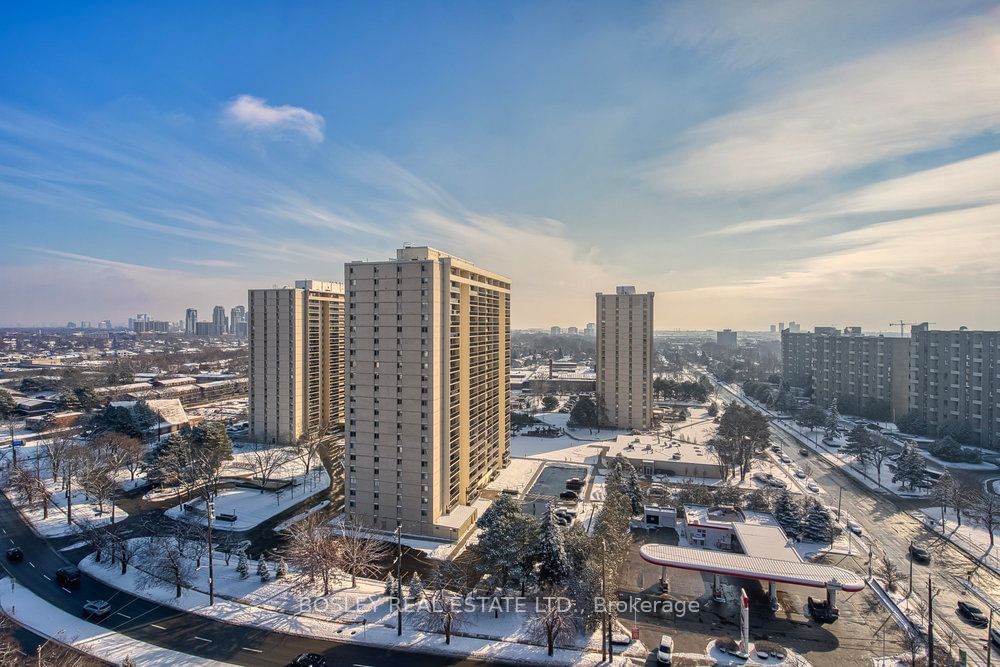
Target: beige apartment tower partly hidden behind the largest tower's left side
{"x": 296, "y": 340}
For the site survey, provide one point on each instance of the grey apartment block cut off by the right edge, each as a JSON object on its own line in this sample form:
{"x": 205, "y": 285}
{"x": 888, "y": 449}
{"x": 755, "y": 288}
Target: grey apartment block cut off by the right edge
{"x": 955, "y": 382}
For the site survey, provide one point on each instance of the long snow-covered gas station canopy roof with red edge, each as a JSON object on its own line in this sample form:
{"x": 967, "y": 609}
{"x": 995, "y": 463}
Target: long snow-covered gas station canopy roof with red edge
{"x": 751, "y": 567}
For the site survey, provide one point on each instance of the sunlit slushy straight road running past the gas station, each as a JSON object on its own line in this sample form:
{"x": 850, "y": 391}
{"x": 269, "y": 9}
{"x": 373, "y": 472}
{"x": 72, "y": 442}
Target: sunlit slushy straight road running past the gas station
{"x": 891, "y": 530}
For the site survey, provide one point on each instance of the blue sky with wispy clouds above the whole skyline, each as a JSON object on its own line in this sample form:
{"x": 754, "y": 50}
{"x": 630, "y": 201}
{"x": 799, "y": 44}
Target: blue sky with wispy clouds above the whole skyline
{"x": 830, "y": 163}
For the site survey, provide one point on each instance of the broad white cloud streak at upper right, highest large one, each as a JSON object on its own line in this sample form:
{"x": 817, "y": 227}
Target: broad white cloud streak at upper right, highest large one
{"x": 916, "y": 96}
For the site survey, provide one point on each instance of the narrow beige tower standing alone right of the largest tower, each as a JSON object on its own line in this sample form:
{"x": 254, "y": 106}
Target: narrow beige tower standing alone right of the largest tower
{"x": 625, "y": 358}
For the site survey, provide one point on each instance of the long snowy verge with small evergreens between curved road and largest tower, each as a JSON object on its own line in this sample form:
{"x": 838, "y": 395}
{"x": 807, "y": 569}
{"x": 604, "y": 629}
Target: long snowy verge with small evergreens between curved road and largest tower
{"x": 290, "y": 605}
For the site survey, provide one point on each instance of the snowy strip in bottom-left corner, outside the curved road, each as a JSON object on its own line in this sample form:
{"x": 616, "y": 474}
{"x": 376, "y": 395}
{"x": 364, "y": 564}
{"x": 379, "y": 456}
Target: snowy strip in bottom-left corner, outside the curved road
{"x": 43, "y": 618}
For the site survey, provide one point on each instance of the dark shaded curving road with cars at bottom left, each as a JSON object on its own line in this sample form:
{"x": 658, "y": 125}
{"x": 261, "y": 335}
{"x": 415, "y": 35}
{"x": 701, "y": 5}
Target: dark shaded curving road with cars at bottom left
{"x": 176, "y": 630}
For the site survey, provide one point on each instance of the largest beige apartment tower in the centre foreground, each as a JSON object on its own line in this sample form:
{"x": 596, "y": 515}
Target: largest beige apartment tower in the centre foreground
{"x": 428, "y": 390}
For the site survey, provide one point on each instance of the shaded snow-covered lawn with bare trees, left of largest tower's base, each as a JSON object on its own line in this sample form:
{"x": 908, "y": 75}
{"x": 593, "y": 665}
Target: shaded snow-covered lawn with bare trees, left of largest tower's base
{"x": 251, "y": 506}
